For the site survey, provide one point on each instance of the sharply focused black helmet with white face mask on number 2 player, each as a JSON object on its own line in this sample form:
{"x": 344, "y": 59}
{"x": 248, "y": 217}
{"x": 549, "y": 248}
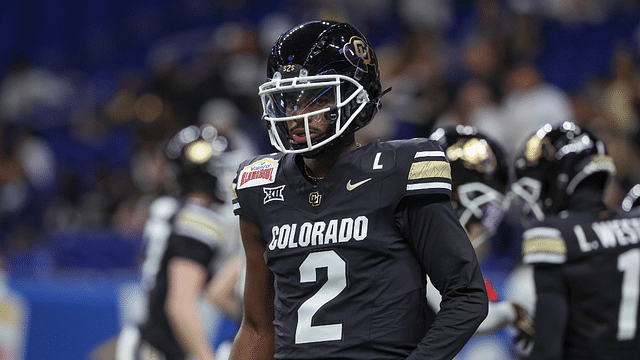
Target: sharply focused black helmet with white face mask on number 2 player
{"x": 319, "y": 71}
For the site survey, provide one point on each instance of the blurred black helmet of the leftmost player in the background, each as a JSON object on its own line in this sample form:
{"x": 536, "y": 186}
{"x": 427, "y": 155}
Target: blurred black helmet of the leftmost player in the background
{"x": 195, "y": 153}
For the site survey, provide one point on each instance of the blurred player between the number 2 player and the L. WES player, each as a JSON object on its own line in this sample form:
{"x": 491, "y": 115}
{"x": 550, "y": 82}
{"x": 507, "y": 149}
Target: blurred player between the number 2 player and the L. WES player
{"x": 480, "y": 176}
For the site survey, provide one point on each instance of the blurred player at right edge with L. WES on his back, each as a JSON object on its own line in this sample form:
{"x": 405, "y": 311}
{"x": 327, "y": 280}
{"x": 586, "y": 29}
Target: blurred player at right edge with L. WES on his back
{"x": 586, "y": 257}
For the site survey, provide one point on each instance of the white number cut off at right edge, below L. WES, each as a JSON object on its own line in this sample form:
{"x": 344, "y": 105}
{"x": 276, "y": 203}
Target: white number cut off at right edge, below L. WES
{"x": 629, "y": 265}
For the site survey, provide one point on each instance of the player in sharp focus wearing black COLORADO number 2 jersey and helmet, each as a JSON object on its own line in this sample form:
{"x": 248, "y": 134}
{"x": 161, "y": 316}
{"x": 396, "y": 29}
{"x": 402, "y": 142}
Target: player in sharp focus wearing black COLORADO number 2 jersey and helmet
{"x": 339, "y": 238}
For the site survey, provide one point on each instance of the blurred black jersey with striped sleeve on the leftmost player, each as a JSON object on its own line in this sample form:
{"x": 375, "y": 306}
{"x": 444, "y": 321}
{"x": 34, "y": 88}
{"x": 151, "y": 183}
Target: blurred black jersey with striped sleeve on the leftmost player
{"x": 176, "y": 229}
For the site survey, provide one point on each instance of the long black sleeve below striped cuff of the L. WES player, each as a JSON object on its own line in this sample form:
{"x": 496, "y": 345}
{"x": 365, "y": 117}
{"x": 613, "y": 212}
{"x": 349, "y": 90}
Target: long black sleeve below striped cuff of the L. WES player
{"x": 551, "y": 313}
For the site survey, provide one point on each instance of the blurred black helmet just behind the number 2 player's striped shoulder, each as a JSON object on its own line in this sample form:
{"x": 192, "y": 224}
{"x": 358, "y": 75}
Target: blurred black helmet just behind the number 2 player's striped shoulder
{"x": 479, "y": 175}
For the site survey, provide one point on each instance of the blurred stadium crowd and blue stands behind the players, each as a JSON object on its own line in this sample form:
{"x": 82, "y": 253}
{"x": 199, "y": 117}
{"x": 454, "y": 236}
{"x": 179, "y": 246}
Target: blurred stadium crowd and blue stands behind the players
{"x": 91, "y": 90}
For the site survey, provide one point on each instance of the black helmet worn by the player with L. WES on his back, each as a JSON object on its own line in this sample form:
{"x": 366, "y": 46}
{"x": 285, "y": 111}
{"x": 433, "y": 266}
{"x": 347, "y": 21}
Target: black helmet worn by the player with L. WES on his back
{"x": 551, "y": 164}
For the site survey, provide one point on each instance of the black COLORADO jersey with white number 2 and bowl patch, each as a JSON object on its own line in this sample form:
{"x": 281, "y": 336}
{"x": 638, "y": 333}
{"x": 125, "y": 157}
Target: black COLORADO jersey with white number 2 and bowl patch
{"x": 348, "y": 281}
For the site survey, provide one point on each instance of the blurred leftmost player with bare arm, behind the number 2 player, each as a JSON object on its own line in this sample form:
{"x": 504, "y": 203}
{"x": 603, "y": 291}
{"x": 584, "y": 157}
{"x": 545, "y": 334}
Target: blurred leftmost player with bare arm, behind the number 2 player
{"x": 186, "y": 238}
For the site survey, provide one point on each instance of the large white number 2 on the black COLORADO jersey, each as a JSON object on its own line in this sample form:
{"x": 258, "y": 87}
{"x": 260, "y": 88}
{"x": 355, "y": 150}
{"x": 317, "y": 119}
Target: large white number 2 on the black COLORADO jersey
{"x": 336, "y": 282}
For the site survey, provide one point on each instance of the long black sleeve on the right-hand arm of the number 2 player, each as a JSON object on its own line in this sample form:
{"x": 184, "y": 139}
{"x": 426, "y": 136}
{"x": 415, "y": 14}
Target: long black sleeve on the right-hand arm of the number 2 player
{"x": 446, "y": 255}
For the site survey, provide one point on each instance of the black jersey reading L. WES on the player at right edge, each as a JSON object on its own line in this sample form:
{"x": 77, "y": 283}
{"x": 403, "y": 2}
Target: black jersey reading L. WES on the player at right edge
{"x": 587, "y": 271}
